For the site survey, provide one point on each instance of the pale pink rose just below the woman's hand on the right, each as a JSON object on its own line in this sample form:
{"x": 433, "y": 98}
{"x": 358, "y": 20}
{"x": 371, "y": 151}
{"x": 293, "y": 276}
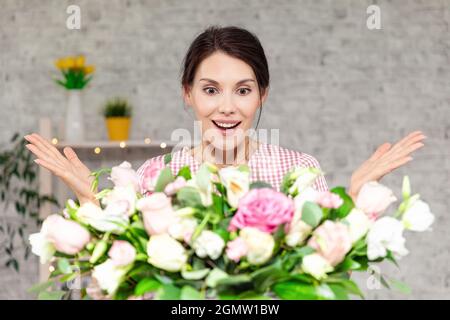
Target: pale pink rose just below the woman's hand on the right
{"x": 374, "y": 198}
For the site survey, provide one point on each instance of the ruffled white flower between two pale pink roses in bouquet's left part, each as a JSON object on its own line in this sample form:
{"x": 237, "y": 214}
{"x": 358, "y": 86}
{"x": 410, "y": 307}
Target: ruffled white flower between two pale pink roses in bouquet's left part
{"x": 111, "y": 219}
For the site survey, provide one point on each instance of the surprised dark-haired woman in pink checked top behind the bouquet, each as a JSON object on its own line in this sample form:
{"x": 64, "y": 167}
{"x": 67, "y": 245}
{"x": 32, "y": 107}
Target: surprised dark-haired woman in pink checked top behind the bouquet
{"x": 225, "y": 81}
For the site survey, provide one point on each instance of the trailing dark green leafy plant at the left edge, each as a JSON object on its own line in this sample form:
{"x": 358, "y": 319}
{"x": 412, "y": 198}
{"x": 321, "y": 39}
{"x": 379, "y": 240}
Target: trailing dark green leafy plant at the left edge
{"x": 18, "y": 186}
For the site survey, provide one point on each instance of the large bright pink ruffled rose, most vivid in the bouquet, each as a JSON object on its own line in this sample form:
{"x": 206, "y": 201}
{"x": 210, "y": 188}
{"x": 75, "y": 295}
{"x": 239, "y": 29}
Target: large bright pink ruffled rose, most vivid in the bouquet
{"x": 264, "y": 209}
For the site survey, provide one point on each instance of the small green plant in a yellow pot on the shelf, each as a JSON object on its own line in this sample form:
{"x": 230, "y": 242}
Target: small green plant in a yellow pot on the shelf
{"x": 117, "y": 112}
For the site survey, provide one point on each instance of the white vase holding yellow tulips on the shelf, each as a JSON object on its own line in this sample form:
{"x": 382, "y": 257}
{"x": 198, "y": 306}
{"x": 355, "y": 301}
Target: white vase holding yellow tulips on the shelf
{"x": 76, "y": 75}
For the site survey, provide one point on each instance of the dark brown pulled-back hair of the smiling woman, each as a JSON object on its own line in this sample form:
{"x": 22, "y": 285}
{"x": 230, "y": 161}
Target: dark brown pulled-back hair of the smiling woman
{"x": 234, "y": 41}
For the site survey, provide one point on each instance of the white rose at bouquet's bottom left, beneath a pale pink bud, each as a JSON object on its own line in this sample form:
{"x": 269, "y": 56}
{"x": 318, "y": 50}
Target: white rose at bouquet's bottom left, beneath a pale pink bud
{"x": 109, "y": 275}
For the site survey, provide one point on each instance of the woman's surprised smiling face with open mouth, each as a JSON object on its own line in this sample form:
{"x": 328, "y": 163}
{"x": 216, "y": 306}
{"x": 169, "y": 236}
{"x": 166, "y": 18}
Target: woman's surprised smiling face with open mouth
{"x": 225, "y": 99}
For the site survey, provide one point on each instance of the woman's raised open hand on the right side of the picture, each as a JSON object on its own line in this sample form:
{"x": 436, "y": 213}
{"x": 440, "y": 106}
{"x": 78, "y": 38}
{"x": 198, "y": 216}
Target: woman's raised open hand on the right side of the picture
{"x": 385, "y": 159}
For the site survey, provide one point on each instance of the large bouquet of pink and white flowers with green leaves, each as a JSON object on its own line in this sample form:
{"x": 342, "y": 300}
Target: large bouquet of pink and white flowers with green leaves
{"x": 215, "y": 235}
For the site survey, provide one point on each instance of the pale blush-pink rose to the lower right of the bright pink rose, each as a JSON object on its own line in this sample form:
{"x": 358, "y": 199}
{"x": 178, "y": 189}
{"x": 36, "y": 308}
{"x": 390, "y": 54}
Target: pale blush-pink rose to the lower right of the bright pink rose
{"x": 332, "y": 241}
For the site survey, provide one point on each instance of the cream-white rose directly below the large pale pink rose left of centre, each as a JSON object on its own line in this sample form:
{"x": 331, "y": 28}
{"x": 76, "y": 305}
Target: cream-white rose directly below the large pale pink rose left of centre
{"x": 166, "y": 253}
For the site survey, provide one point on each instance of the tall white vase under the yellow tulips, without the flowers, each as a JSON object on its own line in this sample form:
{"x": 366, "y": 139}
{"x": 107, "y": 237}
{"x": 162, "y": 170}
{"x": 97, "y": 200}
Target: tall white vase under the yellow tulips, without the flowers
{"x": 74, "y": 126}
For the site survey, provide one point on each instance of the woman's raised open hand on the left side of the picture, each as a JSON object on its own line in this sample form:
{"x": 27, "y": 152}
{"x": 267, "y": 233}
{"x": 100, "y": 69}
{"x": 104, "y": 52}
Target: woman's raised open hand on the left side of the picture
{"x": 69, "y": 168}
